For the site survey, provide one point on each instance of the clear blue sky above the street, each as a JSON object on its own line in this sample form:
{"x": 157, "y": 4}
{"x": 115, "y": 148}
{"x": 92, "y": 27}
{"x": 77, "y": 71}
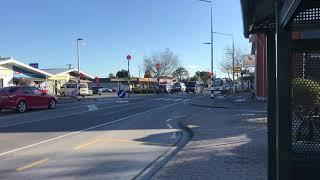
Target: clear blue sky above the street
{"x": 45, "y": 31}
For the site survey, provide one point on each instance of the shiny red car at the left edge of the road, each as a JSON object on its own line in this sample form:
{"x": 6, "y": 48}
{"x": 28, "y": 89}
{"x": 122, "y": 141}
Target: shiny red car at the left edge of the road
{"x": 23, "y": 98}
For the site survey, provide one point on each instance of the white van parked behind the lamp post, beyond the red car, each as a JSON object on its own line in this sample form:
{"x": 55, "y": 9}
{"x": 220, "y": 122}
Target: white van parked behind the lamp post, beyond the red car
{"x": 70, "y": 89}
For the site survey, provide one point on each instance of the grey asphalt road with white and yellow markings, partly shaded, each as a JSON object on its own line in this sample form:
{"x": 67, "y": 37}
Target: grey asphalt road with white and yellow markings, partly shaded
{"x": 103, "y": 139}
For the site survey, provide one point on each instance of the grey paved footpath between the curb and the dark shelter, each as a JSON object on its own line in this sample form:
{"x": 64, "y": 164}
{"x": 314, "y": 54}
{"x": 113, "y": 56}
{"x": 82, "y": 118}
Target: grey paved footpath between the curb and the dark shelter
{"x": 229, "y": 142}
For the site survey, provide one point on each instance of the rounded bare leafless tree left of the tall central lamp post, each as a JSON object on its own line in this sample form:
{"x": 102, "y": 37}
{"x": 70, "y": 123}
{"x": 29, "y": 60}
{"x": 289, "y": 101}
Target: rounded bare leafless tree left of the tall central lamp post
{"x": 167, "y": 61}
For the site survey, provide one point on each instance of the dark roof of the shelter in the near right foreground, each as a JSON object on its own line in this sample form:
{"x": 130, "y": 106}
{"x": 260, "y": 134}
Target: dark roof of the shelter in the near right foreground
{"x": 259, "y": 15}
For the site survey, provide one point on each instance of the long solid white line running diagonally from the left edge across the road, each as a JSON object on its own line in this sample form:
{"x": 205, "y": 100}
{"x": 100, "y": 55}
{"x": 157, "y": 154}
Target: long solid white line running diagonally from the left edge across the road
{"x": 87, "y": 129}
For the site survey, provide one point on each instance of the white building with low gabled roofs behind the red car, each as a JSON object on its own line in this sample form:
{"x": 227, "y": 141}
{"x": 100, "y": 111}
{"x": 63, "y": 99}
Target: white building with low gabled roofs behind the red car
{"x": 14, "y": 73}
